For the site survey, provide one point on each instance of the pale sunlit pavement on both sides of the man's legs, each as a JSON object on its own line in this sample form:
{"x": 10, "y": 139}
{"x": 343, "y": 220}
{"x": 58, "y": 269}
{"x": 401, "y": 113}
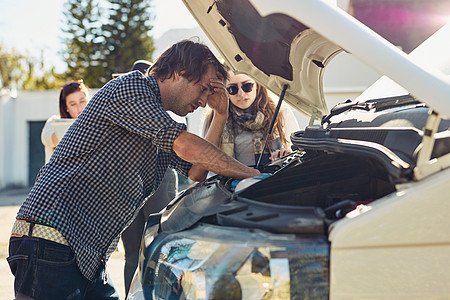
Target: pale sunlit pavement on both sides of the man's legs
{"x": 10, "y": 201}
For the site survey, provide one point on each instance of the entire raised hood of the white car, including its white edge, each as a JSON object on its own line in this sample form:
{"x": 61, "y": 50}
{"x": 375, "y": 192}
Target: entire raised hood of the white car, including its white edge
{"x": 289, "y": 43}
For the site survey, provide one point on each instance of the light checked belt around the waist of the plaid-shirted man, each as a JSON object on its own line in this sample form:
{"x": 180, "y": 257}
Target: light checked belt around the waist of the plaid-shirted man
{"x": 21, "y": 228}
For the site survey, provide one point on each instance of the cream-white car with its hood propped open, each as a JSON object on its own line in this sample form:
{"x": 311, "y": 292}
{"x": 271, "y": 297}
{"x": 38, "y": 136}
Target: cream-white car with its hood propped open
{"x": 358, "y": 209}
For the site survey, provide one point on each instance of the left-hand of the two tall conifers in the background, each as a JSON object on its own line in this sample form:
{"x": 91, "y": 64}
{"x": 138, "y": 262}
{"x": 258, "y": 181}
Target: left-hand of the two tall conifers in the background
{"x": 85, "y": 44}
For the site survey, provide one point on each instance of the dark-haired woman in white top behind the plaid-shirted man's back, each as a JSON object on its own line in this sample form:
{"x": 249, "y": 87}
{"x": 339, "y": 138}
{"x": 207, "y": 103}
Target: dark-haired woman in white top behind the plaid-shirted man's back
{"x": 73, "y": 98}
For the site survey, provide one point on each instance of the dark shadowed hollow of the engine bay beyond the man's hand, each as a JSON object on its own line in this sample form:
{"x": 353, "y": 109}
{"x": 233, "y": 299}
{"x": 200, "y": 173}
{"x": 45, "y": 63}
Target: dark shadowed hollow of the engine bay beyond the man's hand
{"x": 322, "y": 180}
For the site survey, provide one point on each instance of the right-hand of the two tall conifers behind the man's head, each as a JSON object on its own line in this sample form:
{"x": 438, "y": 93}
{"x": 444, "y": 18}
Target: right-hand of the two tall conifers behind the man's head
{"x": 127, "y": 34}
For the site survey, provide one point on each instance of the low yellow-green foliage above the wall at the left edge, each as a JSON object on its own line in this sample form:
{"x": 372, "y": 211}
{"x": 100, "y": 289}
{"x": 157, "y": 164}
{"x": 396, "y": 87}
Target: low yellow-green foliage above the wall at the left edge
{"x": 25, "y": 72}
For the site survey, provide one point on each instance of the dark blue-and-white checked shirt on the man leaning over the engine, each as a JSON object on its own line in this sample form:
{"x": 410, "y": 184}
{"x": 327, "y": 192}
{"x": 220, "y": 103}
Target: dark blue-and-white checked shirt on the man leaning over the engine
{"x": 112, "y": 158}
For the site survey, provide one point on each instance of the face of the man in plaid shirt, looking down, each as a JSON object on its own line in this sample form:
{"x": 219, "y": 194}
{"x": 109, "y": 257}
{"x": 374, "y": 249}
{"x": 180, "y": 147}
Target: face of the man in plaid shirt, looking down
{"x": 186, "y": 97}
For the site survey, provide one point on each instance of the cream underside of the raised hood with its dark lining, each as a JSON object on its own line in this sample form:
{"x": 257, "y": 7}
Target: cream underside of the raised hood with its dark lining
{"x": 276, "y": 49}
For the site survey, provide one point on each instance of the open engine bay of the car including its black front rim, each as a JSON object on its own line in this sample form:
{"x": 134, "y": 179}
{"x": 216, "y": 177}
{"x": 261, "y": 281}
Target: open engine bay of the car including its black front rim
{"x": 300, "y": 194}
